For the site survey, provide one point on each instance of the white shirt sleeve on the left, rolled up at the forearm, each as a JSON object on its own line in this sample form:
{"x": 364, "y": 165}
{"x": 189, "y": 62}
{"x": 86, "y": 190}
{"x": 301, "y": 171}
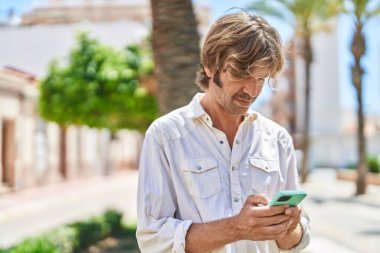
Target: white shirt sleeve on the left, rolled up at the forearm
{"x": 157, "y": 229}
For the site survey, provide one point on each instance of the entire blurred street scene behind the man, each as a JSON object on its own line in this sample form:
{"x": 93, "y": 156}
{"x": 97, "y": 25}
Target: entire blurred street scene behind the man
{"x": 81, "y": 80}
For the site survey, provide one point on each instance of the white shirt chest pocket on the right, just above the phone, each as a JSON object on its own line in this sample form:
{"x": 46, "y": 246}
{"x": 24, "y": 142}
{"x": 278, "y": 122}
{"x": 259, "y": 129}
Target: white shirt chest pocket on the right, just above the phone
{"x": 265, "y": 175}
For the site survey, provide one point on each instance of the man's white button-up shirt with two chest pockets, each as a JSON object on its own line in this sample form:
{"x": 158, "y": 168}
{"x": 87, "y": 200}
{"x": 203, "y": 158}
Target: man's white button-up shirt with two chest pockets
{"x": 189, "y": 174}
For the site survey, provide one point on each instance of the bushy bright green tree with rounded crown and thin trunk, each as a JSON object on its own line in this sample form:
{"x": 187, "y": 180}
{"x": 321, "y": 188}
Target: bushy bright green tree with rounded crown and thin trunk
{"x": 98, "y": 87}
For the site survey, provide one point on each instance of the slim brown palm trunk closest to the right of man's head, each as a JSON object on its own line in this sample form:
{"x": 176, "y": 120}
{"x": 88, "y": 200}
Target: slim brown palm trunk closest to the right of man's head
{"x": 308, "y": 58}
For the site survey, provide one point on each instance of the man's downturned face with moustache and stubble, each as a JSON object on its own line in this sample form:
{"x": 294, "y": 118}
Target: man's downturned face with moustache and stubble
{"x": 236, "y": 96}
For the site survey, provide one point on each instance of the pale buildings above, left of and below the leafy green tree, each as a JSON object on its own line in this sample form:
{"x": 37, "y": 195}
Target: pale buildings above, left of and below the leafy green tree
{"x": 30, "y": 146}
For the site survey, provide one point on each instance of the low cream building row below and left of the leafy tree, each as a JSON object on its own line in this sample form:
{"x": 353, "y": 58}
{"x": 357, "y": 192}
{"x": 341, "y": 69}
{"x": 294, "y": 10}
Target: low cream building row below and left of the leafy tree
{"x": 35, "y": 143}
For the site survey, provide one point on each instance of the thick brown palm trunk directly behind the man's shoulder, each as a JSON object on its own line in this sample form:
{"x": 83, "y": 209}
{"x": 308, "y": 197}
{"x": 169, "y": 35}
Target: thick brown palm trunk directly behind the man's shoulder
{"x": 175, "y": 51}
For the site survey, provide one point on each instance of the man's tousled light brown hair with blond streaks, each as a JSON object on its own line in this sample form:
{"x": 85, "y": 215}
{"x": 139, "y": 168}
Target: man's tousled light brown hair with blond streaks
{"x": 240, "y": 44}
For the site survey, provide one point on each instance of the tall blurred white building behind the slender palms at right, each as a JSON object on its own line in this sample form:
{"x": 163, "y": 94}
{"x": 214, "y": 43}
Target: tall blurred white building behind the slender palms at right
{"x": 333, "y": 129}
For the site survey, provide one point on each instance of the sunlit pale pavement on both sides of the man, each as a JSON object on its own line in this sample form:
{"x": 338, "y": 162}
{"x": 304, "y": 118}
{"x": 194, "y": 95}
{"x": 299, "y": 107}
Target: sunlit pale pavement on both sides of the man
{"x": 341, "y": 223}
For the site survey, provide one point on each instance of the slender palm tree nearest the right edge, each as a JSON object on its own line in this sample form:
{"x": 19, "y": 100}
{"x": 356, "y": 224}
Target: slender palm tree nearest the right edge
{"x": 362, "y": 14}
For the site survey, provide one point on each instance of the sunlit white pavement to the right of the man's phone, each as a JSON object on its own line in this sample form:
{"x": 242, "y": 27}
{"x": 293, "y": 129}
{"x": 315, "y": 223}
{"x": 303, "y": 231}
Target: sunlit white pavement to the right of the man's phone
{"x": 340, "y": 221}
